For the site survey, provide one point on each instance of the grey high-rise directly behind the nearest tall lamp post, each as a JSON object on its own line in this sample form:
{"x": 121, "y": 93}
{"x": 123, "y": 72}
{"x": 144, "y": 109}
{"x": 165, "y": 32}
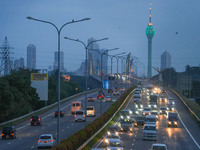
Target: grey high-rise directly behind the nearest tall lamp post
{"x": 55, "y": 64}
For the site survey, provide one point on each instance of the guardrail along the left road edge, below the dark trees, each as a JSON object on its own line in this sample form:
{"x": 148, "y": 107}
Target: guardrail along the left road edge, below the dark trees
{"x": 46, "y": 108}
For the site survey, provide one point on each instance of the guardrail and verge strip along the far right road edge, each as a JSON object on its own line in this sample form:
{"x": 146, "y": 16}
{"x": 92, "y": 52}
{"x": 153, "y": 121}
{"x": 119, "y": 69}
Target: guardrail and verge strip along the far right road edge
{"x": 193, "y": 107}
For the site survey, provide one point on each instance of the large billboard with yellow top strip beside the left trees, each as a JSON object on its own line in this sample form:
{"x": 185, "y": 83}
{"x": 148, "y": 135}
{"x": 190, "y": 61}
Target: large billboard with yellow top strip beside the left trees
{"x": 40, "y": 82}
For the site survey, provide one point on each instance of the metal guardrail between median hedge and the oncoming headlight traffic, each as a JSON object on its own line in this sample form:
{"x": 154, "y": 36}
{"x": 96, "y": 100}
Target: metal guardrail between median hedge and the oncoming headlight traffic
{"x": 82, "y": 146}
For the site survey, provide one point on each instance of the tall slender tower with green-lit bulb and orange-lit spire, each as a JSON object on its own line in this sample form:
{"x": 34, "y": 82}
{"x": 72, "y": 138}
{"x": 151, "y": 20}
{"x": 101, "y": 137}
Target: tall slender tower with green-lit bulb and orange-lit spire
{"x": 149, "y": 33}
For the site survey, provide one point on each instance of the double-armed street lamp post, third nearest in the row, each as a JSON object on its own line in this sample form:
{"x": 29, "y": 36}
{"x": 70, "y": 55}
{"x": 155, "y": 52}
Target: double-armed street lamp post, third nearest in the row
{"x": 102, "y": 53}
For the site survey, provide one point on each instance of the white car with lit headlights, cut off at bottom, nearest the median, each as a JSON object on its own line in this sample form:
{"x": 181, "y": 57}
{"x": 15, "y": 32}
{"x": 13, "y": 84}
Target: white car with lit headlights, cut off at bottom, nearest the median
{"x": 115, "y": 145}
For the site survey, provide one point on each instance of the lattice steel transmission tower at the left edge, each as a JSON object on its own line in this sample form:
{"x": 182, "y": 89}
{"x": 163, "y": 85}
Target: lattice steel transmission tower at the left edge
{"x": 5, "y": 57}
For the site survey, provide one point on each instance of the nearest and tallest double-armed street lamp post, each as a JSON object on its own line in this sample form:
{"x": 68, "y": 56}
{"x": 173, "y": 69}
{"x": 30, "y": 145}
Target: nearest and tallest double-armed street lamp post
{"x": 58, "y": 31}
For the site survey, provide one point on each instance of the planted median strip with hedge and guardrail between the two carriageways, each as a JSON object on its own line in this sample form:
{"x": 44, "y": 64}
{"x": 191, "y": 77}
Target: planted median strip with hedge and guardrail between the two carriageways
{"x": 81, "y": 138}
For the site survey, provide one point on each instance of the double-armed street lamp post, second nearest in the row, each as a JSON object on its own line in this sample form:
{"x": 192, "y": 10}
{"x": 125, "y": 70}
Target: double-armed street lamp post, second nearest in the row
{"x": 86, "y": 64}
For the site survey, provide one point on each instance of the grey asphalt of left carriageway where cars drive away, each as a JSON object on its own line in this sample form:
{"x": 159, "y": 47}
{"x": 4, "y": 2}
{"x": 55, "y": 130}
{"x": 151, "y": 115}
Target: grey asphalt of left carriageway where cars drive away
{"x": 28, "y": 135}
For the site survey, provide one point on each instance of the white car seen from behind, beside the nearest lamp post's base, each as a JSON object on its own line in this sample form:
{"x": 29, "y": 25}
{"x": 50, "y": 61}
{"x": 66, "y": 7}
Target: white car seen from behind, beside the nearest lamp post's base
{"x": 46, "y": 141}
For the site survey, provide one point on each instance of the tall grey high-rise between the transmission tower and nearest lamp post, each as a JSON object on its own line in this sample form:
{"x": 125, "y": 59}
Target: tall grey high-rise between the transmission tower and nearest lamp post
{"x": 31, "y": 56}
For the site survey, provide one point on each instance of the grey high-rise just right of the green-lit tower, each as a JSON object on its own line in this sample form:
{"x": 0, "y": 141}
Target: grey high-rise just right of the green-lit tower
{"x": 165, "y": 60}
